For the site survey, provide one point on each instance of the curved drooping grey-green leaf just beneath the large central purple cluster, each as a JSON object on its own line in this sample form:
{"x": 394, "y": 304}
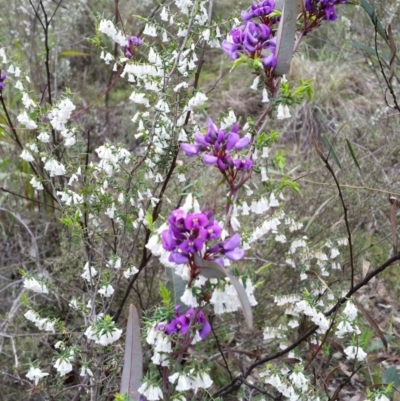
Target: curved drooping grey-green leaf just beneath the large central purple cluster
{"x": 211, "y": 269}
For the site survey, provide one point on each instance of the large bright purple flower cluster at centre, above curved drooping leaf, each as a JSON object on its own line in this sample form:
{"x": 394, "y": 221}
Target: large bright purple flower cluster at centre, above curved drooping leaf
{"x": 191, "y": 233}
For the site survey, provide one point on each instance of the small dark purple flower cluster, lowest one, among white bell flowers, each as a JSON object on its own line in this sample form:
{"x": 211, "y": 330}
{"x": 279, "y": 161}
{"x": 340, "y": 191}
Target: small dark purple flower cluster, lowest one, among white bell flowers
{"x": 180, "y": 324}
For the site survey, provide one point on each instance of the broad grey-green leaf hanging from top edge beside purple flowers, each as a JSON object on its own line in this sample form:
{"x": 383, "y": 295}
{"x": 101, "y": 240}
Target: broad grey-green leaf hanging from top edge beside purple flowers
{"x": 286, "y": 36}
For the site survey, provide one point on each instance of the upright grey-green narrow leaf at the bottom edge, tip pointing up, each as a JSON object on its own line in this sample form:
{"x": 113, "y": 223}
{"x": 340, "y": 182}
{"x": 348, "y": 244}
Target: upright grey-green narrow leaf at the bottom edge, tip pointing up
{"x": 132, "y": 372}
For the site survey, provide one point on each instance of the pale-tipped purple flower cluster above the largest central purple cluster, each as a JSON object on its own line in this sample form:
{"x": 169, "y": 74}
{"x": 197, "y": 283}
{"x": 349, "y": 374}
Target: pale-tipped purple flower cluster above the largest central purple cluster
{"x": 217, "y": 146}
